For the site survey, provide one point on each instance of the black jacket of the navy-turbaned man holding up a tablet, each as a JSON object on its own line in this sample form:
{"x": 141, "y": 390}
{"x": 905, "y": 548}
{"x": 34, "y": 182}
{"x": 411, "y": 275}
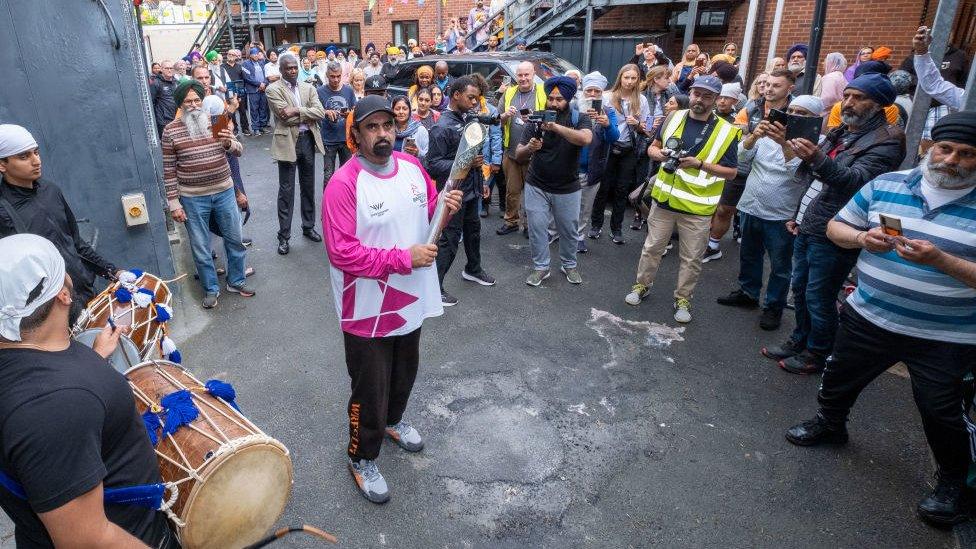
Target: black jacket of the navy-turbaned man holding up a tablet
{"x": 875, "y": 149}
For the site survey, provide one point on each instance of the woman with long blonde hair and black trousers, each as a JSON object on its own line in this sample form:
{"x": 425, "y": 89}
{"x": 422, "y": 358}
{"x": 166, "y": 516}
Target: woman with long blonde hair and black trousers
{"x": 621, "y": 170}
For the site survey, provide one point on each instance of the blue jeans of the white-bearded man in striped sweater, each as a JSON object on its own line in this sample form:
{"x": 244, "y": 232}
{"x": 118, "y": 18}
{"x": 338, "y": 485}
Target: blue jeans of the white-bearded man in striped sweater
{"x": 223, "y": 207}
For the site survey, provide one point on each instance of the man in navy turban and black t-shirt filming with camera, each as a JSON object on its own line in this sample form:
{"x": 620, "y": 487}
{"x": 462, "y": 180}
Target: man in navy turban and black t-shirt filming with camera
{"x": 552, "y": 185}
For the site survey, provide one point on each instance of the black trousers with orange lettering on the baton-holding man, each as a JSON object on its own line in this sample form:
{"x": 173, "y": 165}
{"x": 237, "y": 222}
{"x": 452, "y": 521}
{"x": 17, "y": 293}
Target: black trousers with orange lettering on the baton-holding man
{"x": 382, "y": 371}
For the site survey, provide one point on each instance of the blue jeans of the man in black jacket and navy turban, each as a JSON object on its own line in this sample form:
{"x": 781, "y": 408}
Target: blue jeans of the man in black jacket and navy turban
{"x": 819, "y": 270}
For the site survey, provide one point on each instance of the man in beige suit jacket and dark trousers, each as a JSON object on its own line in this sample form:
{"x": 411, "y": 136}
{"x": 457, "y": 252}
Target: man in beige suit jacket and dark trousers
{"x": 297, "y": 111}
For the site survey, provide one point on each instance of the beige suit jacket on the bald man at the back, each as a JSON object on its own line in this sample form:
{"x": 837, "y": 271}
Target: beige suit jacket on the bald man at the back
{"x": 311, "y": 113}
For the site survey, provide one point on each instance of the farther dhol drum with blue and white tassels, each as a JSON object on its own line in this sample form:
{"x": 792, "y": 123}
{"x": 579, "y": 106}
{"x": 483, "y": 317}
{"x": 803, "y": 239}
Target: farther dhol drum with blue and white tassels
{"x": 137, "y": 312}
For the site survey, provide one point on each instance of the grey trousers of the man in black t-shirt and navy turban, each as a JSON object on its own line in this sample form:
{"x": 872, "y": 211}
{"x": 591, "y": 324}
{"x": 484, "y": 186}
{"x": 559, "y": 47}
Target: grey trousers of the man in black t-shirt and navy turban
{"x": 564, "y": 210}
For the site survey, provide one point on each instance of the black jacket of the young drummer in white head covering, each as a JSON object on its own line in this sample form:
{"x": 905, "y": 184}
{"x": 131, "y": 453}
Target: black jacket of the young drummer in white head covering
{"x": 44, "y": 212}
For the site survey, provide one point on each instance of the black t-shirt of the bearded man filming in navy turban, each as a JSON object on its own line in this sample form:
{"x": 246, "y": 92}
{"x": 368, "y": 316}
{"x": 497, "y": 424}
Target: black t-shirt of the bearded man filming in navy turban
{"x": 554, "y": 168}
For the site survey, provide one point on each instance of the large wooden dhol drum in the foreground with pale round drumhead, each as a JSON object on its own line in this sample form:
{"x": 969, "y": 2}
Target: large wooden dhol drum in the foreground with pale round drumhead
{"x": 233, "y": 479}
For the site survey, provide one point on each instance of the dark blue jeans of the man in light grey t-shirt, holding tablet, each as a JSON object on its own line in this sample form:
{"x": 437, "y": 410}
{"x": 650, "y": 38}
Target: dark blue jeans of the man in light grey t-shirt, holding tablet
{"x": 771, "y": 237}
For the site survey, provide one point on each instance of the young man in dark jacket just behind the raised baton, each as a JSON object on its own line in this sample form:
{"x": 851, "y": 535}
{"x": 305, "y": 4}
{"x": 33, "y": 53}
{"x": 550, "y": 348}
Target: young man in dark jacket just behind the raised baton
{"x": 445, "y": 138}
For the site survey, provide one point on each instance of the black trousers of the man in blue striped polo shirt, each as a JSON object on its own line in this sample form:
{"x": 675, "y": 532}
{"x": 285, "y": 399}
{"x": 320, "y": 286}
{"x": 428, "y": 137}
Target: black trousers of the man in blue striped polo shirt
{"x": 863, "y": 351}
